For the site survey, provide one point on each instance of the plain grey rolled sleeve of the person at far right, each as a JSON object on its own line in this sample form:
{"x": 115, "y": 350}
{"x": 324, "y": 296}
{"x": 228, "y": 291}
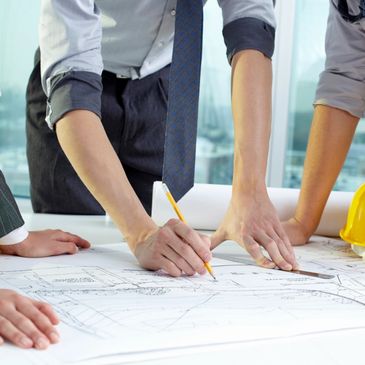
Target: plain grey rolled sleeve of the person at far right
{"x": 342, "y": 83}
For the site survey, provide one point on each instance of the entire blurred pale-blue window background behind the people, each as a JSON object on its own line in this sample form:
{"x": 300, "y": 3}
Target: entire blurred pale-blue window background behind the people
{"x": 298, "y": 60}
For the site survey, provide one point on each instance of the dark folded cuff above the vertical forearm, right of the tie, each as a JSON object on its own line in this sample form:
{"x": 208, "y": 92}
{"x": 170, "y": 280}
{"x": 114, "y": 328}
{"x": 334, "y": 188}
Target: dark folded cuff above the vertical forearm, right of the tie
{"x": 249, "y": 33}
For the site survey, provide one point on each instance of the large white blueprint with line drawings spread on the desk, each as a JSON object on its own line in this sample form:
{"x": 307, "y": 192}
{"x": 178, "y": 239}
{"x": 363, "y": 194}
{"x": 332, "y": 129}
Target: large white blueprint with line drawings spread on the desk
{"x": 107, "y": 304}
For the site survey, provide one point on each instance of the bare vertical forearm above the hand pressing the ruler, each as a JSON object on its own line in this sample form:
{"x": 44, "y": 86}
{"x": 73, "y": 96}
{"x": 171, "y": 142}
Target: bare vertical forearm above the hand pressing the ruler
{"x": 251, "y": 106}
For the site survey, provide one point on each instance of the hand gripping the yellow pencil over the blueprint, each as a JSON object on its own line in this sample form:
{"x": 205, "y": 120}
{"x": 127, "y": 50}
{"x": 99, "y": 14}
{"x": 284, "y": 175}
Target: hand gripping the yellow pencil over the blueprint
{"x": 175, "y": 248}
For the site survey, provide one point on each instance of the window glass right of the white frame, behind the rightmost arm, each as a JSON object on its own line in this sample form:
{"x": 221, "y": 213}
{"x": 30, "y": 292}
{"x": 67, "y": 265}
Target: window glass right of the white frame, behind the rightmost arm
{"x": 308, "y": 63}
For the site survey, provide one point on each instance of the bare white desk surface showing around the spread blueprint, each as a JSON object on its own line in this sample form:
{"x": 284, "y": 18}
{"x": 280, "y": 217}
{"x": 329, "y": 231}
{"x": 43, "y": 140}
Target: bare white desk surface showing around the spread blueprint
{"x": 342, "y": 347}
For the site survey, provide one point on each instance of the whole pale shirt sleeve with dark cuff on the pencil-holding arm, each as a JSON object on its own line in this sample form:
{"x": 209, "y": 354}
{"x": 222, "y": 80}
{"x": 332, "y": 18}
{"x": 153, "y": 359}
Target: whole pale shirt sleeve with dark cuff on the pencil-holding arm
{"x": 71, "y": 63}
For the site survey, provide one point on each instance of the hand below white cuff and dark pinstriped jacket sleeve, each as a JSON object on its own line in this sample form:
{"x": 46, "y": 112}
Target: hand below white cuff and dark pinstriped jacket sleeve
{"x": 46, "y": 243}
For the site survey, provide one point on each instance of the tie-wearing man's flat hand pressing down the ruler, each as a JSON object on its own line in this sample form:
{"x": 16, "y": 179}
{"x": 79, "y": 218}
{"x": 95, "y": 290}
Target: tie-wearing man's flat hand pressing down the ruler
{"x": 253, "y": 223}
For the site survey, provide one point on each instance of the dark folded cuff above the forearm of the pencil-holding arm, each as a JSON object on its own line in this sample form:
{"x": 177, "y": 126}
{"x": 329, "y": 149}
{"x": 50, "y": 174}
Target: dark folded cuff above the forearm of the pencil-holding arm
{"x": 73, "y": 90}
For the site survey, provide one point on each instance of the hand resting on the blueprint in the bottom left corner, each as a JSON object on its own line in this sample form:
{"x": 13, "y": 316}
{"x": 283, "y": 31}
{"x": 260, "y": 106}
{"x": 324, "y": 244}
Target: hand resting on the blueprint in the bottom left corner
{"x": 26, "y": 322}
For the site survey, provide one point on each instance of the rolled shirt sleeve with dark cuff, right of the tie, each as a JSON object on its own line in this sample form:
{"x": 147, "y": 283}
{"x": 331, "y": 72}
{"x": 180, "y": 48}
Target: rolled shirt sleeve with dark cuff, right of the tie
{"x": 248, "y": 24}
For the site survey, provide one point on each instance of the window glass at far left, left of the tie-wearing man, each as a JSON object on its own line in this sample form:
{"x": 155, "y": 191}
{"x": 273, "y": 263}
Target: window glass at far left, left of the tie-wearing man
{"x": 18, "y": 41}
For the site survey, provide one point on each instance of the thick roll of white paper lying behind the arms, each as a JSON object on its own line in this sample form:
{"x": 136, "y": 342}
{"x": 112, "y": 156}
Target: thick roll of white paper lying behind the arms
{"x": 204, "y": 207}
